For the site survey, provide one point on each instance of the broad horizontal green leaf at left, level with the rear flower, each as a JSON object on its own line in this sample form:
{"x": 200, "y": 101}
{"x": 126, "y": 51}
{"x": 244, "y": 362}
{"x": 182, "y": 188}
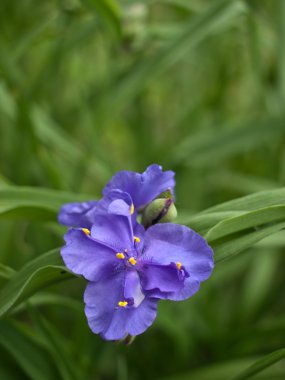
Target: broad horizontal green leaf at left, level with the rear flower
{"x": 34, "y": 203}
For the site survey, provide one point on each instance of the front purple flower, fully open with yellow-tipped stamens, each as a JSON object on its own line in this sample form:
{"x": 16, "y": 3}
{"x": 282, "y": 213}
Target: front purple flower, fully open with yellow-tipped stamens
{"x": 130, "y": 269}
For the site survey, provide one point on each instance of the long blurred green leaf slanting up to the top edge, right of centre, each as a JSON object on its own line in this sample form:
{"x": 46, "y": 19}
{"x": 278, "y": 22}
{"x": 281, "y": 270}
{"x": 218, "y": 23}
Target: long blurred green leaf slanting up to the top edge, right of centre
{"x": 198, "y": 29}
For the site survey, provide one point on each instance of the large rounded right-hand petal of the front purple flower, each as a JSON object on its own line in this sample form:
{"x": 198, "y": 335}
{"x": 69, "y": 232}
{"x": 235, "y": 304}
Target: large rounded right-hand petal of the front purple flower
{"x": 172, "y": 243}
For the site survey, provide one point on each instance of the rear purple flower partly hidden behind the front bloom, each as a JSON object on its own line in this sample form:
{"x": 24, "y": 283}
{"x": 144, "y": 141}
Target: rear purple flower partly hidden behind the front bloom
{"x": 133, "y": 188}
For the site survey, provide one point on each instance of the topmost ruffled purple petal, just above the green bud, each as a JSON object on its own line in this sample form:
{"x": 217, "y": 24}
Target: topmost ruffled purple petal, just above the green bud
{"x": 143, "y": 188}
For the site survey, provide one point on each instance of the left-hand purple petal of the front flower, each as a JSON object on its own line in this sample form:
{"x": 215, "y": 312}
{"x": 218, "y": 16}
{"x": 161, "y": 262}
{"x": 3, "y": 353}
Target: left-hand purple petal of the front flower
{"x": 86, "y": 257}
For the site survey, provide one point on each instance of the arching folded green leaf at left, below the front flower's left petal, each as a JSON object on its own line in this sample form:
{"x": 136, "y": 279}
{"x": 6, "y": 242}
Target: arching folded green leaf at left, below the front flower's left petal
{"x": 43, "y": 271}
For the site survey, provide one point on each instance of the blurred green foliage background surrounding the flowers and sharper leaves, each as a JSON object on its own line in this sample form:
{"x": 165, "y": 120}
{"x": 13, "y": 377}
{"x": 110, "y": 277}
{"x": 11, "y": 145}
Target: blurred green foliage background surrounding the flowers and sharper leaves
{"x": 90, "y": 87}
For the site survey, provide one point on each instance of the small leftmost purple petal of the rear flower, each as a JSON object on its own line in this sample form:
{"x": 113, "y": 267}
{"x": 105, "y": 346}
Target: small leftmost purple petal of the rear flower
{"x": 76, "y": 214}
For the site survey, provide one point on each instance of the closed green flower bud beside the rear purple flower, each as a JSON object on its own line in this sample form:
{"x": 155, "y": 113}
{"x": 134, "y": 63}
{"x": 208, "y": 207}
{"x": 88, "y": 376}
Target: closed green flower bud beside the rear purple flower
{"x": 160, "y": 210}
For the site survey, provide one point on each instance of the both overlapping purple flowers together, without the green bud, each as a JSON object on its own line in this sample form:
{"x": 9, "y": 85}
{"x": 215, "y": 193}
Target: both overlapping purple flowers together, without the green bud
{"x": 129, "y": 269}
